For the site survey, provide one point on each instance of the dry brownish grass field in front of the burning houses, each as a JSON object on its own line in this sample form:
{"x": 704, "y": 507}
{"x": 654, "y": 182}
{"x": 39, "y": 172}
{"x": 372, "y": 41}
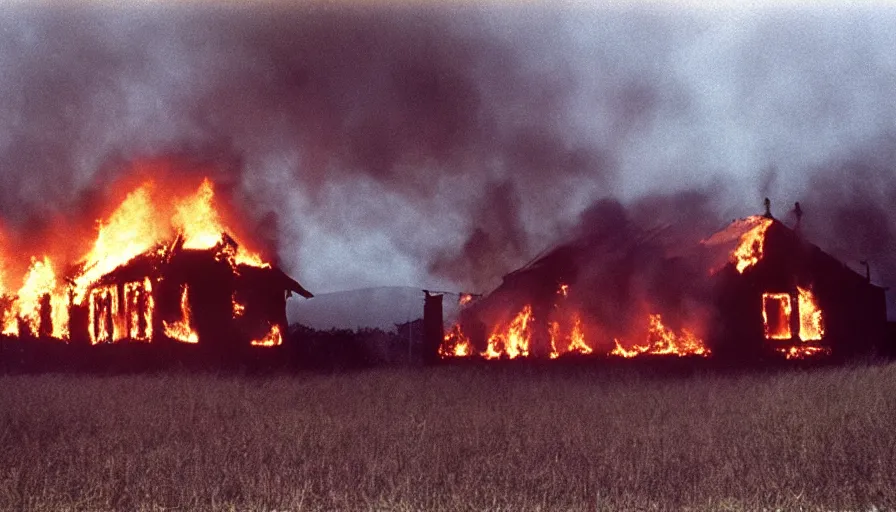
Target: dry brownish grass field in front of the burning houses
{"x": 452, "y": 438}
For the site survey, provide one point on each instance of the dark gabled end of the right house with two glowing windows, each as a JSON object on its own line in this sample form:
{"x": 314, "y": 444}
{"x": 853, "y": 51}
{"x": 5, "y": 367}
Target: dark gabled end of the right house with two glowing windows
{"x": 781, "y": 293}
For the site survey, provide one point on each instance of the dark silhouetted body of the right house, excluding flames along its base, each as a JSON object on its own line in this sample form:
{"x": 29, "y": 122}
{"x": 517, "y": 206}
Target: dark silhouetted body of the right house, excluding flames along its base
{"x": 741, "y": 315}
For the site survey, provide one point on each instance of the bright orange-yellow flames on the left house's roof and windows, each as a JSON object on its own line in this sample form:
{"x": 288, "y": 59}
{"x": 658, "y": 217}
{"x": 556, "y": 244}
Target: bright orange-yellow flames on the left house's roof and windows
{"x": 146, "y": 221}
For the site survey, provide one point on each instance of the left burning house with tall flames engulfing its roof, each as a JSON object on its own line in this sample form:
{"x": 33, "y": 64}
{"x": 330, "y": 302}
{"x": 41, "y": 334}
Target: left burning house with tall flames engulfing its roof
{"x": 161, "y": 270}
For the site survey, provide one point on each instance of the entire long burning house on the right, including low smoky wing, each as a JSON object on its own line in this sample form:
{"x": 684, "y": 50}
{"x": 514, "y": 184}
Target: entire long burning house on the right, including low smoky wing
{"x": 754, "y": 289}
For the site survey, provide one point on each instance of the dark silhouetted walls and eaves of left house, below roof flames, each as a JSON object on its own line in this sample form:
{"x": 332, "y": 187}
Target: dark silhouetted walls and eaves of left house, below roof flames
{"x": 173, "y": 294}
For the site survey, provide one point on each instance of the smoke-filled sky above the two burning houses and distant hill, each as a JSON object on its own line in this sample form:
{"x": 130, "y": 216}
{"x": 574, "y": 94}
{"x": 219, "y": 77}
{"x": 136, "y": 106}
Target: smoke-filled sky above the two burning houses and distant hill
{"x": 443, "y": 147}
